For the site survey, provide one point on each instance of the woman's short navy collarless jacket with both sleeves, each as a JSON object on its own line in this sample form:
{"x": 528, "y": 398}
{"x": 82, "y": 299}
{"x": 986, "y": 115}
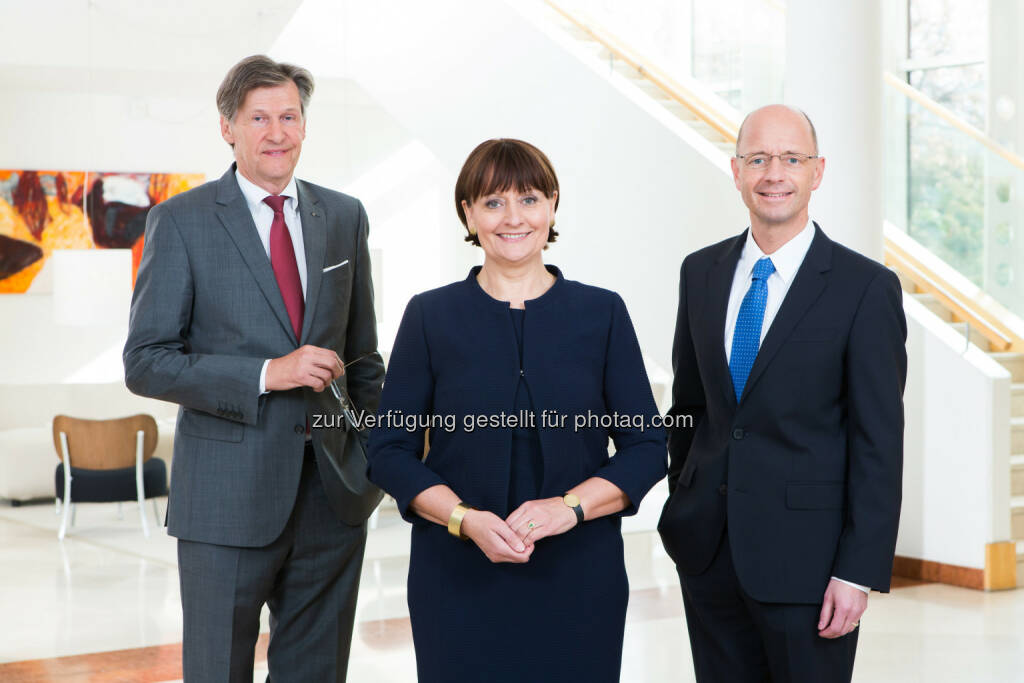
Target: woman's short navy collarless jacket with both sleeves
{"x": 456, "y": 355}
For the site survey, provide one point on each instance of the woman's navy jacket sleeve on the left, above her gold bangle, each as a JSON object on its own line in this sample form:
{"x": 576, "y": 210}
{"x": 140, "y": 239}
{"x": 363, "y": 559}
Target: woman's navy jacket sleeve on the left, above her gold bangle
{"x": 395, "y": 456}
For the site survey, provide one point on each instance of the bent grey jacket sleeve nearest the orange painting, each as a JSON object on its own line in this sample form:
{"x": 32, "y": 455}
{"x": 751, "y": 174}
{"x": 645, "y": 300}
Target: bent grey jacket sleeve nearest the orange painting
{"x": 158, "y": 360}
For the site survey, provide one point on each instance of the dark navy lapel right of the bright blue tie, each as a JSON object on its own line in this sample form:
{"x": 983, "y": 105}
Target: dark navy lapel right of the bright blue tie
{"x": 808, "y": 285}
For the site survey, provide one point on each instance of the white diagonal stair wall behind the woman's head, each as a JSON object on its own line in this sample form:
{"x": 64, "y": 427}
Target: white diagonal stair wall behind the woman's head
{"x": 639, "y": 191}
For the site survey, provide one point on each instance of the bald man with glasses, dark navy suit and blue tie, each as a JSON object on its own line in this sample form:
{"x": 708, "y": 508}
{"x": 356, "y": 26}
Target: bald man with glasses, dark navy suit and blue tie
{"x": 785, "y": 495}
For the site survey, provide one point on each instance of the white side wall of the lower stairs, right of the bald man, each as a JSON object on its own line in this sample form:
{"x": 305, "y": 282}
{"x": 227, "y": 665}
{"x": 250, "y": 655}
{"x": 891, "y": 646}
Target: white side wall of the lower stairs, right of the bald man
{"x": 957, "y": 447}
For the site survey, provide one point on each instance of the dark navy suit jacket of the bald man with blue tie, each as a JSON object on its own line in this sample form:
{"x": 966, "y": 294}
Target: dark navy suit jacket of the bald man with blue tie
{"x": 806, "y": 469}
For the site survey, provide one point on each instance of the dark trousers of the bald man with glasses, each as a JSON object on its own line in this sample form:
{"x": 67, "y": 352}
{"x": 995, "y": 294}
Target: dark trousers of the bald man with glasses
{"x": 737, "y": 639}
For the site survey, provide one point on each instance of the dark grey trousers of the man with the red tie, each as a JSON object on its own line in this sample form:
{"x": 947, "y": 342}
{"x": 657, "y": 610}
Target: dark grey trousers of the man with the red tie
{"x": 309, "y": 578}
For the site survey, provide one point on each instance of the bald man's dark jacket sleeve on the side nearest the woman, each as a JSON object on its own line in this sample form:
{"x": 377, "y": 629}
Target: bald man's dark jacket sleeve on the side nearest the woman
{"x": 688, "y": 390}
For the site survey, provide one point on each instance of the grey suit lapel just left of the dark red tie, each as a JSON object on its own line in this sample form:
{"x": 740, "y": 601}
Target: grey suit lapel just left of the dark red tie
{"x": 237, "y": 220}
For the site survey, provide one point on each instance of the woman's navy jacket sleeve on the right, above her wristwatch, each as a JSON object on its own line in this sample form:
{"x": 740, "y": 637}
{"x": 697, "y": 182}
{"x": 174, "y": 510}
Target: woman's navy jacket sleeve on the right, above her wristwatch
{"x": 641, "y": 460}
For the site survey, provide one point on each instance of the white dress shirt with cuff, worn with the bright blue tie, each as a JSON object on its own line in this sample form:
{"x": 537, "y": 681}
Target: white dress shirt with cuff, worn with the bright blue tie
{"x": 787, "y": 261}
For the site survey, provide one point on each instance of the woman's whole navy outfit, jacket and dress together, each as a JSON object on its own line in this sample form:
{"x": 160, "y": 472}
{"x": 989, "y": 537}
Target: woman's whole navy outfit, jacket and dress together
{"x": 561, "y": 616}
